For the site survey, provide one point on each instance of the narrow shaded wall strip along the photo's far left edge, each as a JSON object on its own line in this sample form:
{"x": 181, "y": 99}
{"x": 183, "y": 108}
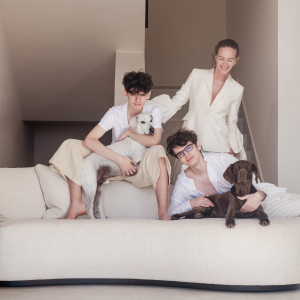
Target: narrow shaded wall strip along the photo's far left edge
{"x": 16, "y": 138}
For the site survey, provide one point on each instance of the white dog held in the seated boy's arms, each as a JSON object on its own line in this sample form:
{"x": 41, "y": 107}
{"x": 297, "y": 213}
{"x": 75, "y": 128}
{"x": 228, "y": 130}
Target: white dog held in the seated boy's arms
{"x": 141, "y": 124}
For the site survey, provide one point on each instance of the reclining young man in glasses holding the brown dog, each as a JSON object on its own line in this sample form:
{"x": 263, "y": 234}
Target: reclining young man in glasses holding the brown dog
{"x": 202, "y": 174}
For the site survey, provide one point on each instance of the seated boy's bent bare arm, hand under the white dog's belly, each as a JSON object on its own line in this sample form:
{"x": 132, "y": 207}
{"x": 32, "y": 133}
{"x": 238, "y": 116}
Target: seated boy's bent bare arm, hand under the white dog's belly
{"x": 92, "y": 142}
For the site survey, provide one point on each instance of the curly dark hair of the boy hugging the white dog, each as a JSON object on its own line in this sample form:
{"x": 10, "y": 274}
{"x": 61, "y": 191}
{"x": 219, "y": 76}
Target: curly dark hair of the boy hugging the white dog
{"x": 136, "y": 82}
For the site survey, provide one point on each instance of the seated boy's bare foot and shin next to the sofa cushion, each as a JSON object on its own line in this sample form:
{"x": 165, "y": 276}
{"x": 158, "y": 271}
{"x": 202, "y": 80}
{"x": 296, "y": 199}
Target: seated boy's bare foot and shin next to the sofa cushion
{"x": 77, "y": 206}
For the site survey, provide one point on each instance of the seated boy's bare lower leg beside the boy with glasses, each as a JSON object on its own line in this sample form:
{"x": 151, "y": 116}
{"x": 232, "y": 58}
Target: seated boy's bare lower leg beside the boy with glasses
{"x": 162, "y": 190}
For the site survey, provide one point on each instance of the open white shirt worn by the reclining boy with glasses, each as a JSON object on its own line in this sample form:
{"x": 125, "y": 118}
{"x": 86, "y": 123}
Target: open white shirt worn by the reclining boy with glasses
{"x": 217, "y": 163}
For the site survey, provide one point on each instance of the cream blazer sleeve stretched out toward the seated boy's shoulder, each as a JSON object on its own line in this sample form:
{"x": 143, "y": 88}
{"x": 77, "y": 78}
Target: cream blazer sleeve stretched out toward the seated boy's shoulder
{"x": 170, "y": 106}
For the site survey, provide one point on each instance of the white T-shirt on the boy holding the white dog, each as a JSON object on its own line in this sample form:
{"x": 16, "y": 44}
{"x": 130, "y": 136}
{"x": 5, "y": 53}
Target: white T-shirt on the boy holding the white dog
{"x": 116, "y": 119}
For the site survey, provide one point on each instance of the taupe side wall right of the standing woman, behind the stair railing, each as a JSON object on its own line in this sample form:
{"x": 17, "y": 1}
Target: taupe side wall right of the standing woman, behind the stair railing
{"x": 254, "y": 25}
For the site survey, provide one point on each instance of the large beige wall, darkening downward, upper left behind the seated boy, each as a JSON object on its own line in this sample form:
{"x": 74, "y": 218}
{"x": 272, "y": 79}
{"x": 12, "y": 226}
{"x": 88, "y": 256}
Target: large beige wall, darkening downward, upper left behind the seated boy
{"x": 63, "y": 54}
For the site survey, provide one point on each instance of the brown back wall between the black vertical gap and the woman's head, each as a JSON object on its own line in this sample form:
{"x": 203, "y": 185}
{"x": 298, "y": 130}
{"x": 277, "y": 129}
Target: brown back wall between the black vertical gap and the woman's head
{"x": 182, "y": 36}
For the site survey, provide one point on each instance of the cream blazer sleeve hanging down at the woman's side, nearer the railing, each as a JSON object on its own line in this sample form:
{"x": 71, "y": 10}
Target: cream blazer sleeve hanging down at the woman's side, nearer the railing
{"x": 235, "y": 138}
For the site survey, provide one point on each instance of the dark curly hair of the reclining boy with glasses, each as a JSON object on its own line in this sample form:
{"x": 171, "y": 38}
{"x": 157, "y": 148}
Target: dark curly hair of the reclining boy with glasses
{"x": 180, "y": 138}
